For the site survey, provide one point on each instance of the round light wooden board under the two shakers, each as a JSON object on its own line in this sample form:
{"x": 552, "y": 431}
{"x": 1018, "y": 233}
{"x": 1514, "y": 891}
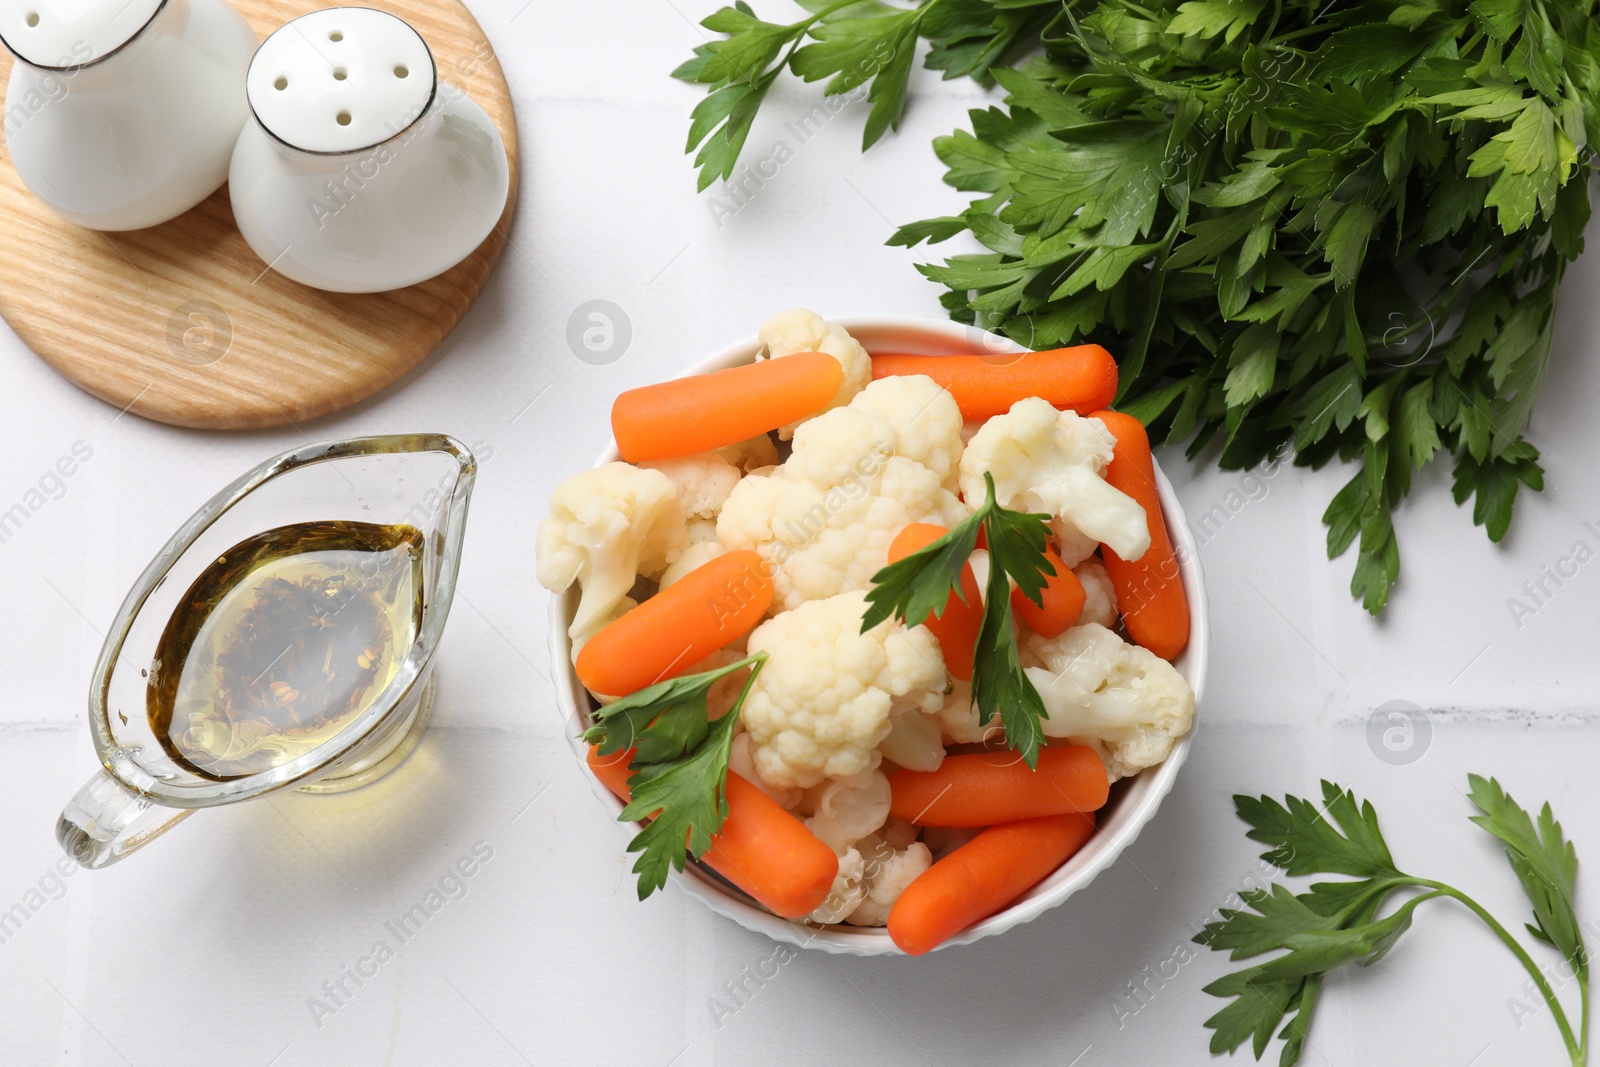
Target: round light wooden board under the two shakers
{"x": 183, "y": 322}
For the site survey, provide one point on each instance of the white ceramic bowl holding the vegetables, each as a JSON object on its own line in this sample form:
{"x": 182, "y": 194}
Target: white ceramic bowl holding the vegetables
{"x": 1134, "y": 802}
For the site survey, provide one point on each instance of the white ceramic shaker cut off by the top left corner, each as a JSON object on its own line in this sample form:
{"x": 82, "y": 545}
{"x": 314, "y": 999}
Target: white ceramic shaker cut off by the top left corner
{"x": 122, "y": 114}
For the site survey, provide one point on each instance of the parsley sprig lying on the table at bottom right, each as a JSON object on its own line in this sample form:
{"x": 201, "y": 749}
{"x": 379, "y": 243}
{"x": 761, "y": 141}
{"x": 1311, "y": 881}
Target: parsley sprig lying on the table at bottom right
{"x": 1337, "y": 922}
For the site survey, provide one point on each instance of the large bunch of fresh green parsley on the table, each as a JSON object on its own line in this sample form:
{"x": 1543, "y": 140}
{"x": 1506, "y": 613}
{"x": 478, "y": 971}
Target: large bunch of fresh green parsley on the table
{"x": 1318, "y": 226}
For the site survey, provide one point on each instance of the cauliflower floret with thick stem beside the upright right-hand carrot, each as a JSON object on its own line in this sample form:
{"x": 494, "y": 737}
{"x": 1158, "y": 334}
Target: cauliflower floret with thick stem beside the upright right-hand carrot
{"x": 1052, "y": 462}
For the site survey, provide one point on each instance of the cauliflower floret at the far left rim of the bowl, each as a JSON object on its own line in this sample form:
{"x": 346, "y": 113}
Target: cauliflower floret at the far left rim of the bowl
{"x": 606, "y": 529}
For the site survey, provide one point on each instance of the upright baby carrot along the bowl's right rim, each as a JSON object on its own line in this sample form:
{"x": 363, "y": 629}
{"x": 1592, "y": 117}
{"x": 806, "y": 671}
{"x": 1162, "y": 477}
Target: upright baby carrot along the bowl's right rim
{"x": 1150, "y": 591}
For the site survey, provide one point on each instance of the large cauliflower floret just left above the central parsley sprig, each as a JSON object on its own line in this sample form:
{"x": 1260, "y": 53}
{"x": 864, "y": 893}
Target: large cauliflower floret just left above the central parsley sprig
{"x": 825, "y": 519}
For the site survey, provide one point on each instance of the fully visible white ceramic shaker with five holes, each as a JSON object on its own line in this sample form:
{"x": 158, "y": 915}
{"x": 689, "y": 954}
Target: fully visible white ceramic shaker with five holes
{"x": 362, "y": 172}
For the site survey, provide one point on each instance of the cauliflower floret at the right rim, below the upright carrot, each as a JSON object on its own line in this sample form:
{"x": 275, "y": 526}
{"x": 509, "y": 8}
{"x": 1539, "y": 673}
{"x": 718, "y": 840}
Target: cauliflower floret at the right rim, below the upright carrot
{"x": 1126, "y": 698}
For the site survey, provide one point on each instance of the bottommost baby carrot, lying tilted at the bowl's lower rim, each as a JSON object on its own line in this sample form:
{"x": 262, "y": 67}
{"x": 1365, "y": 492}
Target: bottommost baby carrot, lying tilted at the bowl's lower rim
{"x": 983, "y": 877}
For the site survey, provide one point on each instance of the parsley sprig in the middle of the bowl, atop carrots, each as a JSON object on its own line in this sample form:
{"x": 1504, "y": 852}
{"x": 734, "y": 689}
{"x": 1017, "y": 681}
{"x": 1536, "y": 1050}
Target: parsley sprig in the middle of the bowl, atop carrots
{"x": 922, "y": 585}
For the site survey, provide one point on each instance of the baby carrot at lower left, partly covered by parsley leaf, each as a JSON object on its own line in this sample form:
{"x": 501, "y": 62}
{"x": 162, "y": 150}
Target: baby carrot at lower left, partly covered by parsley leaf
{"x": 761, "y": 849}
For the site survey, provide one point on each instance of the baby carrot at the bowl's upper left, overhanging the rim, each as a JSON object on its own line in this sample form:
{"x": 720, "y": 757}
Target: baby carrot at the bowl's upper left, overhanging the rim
{"x": 705, "y": 412}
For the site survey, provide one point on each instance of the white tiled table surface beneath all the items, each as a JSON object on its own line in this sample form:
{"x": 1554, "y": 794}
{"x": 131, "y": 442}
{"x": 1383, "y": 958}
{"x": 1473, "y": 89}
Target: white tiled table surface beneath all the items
{"x": 210, "y": 948}
